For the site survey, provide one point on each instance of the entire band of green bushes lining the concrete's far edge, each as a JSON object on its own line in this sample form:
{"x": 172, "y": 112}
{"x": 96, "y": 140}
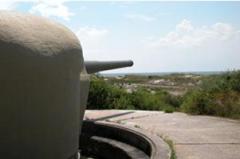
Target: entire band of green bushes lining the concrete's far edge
{"x": 217, "y": 95}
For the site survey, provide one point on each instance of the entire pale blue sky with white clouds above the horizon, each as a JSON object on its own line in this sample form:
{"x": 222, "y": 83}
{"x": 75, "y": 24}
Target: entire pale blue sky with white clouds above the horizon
{"x": 158, "y": 36}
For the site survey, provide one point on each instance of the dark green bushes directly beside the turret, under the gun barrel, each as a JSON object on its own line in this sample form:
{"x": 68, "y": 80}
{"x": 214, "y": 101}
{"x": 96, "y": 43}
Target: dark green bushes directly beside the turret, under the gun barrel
{"x": 105, "y": 96}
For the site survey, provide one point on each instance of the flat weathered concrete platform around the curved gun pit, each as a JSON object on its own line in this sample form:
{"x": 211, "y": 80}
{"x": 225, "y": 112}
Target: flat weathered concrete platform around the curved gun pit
{"x": 194, "y": 137}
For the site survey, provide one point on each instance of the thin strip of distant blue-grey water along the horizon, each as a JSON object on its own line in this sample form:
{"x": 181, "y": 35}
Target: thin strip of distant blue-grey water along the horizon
{"x": 160, "y": 73}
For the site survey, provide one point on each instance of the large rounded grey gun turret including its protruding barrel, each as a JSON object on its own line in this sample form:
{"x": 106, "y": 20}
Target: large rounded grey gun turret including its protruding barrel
{"x": 44, "y": 85}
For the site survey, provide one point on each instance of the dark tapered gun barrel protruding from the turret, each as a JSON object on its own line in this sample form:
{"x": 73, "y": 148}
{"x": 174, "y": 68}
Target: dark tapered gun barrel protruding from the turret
{"x": 97, "y": 66}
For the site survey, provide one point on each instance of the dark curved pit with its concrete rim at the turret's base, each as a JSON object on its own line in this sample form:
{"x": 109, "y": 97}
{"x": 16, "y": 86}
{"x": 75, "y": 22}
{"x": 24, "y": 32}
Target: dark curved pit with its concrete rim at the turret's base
{"x": 105, "y": 140}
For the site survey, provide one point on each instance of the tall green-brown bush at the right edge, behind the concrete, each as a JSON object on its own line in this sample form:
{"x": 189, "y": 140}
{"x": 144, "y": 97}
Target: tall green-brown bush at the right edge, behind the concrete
{"x": 218, "y": 95}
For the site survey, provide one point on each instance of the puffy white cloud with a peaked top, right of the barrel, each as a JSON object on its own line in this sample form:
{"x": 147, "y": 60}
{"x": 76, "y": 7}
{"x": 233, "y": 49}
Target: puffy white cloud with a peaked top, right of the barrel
{"x": 186, "y": 35}
